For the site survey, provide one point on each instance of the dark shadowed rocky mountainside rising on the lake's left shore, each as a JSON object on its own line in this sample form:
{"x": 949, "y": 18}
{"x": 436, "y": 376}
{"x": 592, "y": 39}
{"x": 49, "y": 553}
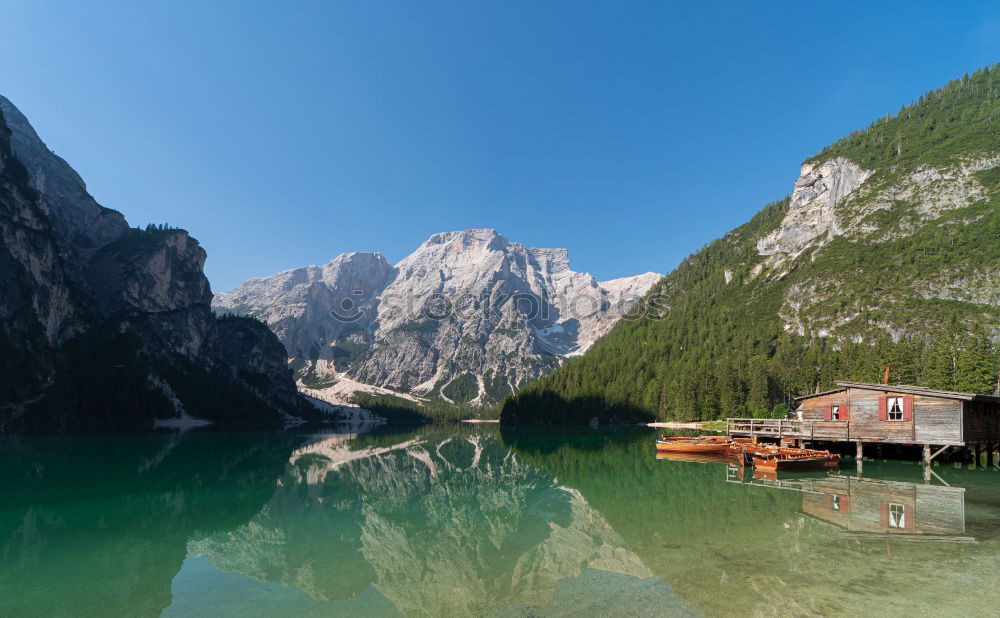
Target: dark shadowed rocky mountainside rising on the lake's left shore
{"x": 106, "y": 327}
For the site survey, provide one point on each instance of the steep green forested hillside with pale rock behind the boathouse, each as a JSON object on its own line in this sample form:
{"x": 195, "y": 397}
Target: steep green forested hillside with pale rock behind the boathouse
{"x": 887, "y": 251}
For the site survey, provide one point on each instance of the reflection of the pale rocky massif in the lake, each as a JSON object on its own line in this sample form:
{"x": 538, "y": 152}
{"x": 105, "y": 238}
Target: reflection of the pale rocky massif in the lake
{"x": 446, "y": 521}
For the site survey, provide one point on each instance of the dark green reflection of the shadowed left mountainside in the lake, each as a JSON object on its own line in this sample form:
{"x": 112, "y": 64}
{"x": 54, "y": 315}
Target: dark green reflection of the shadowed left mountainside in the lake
{"x": 98, "y": 525}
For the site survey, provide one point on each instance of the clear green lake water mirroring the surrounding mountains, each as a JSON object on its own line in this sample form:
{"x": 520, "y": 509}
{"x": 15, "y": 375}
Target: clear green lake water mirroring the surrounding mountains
{"x": 474, "y": 521}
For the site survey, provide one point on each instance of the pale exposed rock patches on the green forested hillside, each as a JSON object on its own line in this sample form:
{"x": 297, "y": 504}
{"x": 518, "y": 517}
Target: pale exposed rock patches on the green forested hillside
{"x": 839, "y": 199}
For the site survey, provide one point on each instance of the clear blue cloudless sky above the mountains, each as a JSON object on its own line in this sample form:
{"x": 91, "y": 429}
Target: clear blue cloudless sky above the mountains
{"x": 632, "y": 133}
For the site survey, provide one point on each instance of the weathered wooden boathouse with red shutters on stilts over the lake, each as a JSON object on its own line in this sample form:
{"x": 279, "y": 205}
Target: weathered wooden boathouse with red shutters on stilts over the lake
{"x": 885, "y": 414}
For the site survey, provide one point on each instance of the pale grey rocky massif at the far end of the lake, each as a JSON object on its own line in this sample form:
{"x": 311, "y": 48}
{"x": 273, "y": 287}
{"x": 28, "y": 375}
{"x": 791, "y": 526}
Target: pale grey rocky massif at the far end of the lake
{"x": 467, "y": 318}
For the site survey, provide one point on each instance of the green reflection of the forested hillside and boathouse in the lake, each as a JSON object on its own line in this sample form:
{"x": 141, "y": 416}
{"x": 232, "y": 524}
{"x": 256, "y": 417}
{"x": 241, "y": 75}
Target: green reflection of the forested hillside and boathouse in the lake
{"x": 729, "y": 548}
